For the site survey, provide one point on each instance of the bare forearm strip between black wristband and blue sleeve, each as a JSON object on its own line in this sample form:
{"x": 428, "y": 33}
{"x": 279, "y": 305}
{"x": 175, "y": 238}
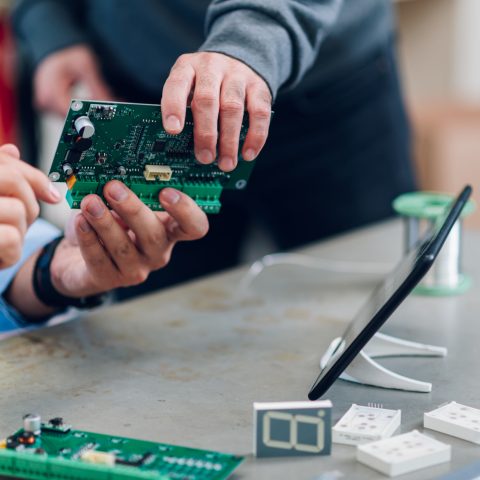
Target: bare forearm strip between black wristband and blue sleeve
{"x": 21, "y": 295}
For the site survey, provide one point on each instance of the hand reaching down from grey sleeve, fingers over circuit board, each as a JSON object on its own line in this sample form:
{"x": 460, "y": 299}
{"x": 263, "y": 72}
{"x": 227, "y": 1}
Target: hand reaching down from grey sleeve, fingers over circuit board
{"x": 221, "y": 86}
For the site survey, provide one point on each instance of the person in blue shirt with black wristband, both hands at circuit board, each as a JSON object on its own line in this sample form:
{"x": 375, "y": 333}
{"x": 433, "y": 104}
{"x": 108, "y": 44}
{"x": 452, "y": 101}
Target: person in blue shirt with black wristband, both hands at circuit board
{"x": 43, "y": 272}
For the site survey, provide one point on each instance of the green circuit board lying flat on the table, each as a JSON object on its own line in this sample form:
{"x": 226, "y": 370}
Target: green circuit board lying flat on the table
{"x": 57, "y": 451}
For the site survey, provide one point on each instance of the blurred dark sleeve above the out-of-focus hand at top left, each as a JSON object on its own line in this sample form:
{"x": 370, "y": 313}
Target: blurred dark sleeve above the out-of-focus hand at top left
{"x": 30, "y": 17}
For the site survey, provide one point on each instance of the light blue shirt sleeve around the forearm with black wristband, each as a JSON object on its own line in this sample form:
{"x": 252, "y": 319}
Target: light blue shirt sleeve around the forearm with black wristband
{"x": 39, "y": 234}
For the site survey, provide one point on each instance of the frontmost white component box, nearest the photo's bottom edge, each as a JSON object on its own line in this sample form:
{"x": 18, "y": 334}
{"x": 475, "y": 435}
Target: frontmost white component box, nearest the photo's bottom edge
{"x": 404, "y": 453}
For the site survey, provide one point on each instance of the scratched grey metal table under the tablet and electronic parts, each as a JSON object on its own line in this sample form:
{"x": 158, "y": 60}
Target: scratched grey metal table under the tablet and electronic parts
{"x": 183, "y": 366}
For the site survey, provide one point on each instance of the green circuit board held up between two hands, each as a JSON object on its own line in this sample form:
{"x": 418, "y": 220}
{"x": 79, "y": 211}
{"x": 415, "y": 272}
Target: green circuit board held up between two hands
{"x": 103, "y": 141}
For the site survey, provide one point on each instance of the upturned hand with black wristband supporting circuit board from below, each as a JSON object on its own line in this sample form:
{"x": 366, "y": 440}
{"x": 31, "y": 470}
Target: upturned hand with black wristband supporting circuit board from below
{"x": 120, "y": 248}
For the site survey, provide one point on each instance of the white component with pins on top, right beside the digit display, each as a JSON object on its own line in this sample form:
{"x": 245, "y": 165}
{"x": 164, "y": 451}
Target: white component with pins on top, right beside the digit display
{"x": 366, "y": 424}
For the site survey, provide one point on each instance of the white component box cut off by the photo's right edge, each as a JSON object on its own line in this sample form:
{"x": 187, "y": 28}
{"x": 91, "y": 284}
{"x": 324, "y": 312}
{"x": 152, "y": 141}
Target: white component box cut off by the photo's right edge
{"x": 456, "y": 420}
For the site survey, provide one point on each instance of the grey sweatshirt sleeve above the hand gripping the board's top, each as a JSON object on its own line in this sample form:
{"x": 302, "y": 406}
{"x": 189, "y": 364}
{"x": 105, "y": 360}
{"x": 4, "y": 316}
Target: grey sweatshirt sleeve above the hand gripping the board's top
{"x": 279, "y": 39}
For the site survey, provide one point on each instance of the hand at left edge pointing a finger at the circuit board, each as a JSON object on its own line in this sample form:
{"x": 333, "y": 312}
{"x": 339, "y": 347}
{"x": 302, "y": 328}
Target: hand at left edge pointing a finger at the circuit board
{"x": 20, "y": 187}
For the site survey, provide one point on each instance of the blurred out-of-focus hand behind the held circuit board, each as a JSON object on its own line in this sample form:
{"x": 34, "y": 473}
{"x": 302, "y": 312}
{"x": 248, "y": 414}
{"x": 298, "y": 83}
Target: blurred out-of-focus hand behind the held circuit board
{"x": 60, "y": 72}
